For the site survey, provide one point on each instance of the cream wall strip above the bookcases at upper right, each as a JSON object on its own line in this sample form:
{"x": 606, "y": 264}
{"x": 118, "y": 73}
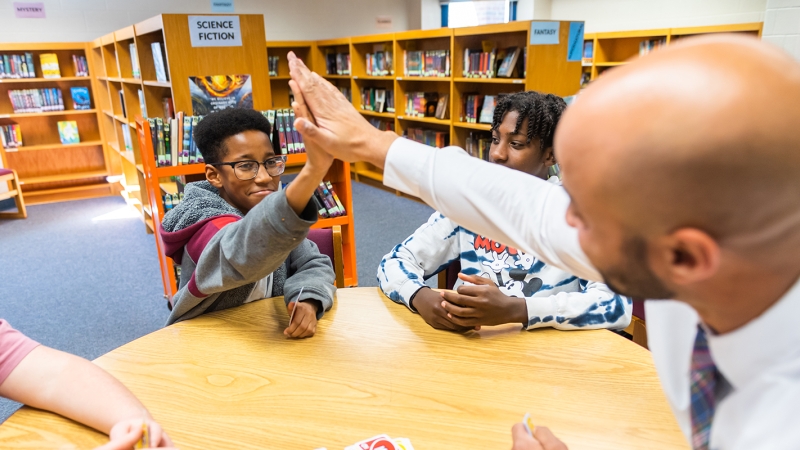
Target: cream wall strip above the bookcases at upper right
{"x": 620, "y": 15}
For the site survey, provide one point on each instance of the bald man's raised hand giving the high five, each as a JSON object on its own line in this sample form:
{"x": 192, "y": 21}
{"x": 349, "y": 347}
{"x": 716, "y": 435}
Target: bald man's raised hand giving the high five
{"x": 339, "y": 130}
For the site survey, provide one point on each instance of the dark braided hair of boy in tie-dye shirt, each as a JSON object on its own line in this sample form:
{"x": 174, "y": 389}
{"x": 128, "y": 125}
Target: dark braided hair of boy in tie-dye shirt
{"x": 543, "y": 112}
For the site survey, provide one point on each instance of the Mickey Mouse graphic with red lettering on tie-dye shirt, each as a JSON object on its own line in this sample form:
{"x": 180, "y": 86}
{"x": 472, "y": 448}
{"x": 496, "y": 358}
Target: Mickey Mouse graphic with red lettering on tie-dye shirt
{"x": 503, "y": 257}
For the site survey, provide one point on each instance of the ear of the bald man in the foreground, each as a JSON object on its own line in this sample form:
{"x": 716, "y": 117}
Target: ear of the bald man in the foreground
{"x": 686, "y": 256}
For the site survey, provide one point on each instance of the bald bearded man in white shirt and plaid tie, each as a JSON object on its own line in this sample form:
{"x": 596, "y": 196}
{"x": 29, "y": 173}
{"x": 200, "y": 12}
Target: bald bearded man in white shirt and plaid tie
{"x": 683, "y": 174}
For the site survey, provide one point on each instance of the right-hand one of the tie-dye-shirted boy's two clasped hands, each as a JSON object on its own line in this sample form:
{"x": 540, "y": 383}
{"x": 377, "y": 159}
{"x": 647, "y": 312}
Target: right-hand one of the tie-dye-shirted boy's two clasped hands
{"x": 483, "y": 304}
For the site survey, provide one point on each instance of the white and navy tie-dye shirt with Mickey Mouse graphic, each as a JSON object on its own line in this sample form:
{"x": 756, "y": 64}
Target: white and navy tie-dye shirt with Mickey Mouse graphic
{"x": 554, "y": 298}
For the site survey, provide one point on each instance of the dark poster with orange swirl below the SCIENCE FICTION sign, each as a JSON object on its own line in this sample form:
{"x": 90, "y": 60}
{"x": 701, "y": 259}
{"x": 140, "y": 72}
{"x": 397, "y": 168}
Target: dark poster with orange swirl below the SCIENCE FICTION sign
{"x": 218, "y": 92}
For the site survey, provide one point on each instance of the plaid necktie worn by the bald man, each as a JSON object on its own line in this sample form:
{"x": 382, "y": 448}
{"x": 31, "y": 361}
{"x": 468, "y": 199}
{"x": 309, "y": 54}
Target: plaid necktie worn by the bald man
{"x": 704, "y": 381}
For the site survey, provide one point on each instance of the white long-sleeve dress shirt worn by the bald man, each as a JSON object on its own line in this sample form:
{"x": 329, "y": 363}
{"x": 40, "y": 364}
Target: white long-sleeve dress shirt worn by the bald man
{"x": 760, "y": 360}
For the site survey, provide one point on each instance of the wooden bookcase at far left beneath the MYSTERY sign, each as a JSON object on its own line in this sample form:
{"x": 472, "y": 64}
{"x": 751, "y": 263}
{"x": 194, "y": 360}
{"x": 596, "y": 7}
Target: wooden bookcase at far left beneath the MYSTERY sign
{"x": 49, "y": 170}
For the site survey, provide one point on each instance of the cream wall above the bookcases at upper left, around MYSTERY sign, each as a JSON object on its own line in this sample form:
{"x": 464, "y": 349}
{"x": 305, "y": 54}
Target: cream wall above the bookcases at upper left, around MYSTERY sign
{"x": 84, "y": 20}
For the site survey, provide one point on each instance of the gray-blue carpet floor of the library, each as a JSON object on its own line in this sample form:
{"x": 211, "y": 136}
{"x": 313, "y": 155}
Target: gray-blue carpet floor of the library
{"x": 89, "y": 286}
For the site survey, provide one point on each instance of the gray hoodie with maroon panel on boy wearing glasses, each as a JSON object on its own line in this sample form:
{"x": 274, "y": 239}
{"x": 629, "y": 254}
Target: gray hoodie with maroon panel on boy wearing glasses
{"x": 223, "y": 253}
